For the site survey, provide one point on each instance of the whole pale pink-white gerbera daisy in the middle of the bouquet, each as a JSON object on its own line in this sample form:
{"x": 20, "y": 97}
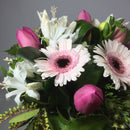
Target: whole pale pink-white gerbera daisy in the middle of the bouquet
{"x": 64, "y": 62}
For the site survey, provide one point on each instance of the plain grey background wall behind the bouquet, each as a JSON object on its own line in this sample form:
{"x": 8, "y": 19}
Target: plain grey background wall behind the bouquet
{"x": 17, "y": 13}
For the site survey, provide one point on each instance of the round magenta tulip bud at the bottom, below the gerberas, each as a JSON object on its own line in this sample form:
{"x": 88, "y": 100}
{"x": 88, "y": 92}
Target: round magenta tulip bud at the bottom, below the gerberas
{"x": 88, "y": 99}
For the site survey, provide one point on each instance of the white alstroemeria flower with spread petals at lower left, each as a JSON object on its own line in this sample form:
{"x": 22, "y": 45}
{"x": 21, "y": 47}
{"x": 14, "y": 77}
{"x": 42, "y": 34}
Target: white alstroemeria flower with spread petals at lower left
{"x": 19, "y": 84}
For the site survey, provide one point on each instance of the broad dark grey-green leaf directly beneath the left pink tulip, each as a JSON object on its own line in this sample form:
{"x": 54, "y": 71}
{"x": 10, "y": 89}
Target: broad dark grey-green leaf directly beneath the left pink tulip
{"x": 30, "y": 53}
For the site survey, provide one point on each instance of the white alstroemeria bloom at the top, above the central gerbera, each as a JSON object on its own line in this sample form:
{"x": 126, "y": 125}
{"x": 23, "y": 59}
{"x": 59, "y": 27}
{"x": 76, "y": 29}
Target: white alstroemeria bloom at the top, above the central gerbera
{"x": 56, "y": 29}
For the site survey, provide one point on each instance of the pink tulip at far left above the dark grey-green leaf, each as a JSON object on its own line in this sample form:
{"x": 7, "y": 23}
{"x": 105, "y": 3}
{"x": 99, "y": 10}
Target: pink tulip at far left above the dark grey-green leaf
{"x": 27, "y": 37}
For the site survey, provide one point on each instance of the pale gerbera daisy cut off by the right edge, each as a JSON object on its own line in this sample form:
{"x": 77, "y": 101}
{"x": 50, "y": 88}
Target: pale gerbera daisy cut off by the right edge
{"x": 115, "y": 58}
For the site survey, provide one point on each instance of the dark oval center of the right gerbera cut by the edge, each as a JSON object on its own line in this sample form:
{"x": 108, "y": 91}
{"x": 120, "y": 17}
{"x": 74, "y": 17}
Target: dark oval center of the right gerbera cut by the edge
{"x": 116, "y": 64}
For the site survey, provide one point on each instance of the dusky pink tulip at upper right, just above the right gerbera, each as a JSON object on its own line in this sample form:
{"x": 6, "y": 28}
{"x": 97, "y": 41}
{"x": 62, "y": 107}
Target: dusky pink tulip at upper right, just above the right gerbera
{"x": 119, "y": 35}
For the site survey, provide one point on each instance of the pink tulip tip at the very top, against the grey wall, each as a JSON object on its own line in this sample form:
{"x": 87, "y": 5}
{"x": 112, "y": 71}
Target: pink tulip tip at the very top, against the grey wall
{"x": 83, "y": 15}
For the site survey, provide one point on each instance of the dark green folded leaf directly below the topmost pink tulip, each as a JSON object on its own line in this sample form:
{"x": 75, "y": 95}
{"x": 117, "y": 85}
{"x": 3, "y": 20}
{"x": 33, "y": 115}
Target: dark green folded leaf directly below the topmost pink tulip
{"x": 84, "y": 28}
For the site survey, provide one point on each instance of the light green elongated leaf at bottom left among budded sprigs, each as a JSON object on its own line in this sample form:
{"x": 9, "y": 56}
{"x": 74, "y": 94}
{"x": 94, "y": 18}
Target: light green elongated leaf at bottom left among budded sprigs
{"x": 24, "y": 116}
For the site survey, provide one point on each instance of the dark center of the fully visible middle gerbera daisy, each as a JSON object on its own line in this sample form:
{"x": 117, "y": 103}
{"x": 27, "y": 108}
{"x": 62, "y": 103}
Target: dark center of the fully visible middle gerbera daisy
{"x": 63, "y": 62}
